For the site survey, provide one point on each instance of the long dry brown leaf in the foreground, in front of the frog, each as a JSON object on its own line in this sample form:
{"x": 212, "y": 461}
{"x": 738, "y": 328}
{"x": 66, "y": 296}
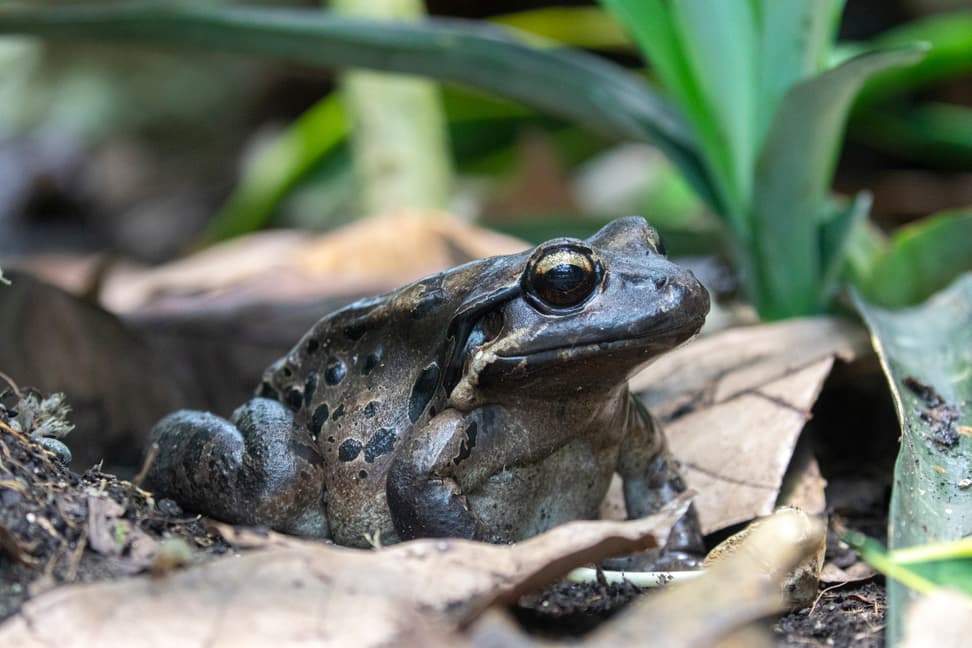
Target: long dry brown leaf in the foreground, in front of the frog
{"x": 414, "y": 593}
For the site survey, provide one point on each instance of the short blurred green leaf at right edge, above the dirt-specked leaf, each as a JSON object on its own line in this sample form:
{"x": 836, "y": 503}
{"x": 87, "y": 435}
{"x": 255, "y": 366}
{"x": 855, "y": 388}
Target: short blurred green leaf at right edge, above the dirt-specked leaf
{"x": 922, "y": 258}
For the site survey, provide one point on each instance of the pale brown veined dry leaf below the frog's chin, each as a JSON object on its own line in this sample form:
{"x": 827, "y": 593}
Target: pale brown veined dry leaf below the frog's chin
{"x": 734, "y": 403}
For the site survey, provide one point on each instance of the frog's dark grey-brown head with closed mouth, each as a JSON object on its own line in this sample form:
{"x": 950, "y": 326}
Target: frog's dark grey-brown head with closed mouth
{"x": 577, "y": 315}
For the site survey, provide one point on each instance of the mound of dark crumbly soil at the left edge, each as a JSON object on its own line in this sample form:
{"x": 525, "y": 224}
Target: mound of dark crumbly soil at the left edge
{"x": 57, "y": 526}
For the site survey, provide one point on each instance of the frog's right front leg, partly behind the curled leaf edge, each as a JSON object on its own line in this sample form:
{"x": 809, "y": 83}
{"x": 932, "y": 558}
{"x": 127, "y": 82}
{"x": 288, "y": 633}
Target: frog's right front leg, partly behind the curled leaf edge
{"x": 651, "y": 480}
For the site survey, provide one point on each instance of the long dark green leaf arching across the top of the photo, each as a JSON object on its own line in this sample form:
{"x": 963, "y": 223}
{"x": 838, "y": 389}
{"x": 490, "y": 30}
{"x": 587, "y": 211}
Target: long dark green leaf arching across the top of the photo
{"x": 570, "y": 84}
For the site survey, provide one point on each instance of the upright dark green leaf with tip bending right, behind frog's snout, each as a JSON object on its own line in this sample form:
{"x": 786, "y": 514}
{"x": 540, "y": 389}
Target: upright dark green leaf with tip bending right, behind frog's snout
{"x": 793, "y": 176}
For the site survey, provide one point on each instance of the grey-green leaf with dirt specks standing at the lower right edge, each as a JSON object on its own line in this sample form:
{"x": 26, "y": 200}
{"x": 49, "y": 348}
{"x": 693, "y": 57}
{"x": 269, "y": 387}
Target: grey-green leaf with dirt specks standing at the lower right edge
{"x": 926, "y": 353}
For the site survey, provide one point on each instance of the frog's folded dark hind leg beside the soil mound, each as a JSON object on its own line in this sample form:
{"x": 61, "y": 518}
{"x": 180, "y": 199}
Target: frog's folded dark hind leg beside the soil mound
{"x": 254, "y": 469}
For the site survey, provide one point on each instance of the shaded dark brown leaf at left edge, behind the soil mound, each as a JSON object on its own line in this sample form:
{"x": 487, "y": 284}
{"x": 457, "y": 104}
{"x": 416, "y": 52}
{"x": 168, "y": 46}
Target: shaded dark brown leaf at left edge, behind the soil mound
{"x": 58, "y": 343}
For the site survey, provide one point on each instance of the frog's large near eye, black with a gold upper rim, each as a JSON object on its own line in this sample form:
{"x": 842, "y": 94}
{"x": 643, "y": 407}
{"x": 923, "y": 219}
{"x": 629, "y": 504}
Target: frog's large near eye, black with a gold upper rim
{"x": 563, "y": 276}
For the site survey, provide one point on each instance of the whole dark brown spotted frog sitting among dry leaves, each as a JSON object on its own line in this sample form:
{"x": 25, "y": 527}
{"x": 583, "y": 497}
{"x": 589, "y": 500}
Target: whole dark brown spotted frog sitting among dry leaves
{"x": 489, "y": 401}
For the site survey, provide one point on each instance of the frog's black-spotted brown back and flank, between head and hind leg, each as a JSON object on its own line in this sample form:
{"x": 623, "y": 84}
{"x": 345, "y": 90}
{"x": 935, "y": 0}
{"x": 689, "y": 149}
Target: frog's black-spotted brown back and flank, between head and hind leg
{"x": 359, "y": 381}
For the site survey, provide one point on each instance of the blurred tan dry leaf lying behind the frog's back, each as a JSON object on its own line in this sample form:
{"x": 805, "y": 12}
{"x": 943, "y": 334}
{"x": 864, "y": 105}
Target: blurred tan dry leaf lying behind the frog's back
{"x": 365, "y": 257}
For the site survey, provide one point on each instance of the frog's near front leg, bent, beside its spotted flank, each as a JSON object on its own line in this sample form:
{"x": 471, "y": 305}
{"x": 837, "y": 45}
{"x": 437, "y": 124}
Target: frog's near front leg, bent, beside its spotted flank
{"x": 423, "y": 496}
